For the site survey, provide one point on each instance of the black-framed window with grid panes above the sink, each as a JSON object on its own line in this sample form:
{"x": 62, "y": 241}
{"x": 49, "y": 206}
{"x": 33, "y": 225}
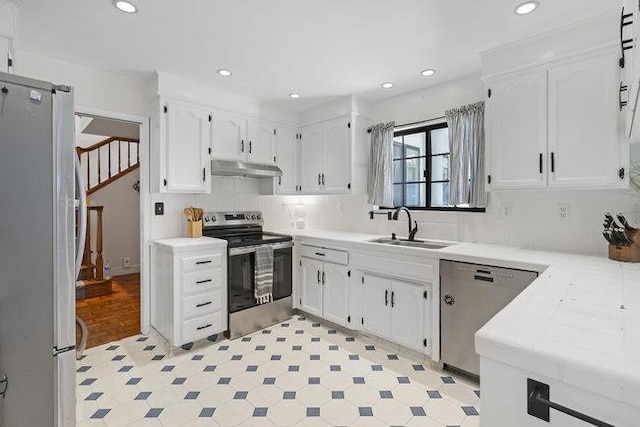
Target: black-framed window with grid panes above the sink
{"x": 421, "y": 168}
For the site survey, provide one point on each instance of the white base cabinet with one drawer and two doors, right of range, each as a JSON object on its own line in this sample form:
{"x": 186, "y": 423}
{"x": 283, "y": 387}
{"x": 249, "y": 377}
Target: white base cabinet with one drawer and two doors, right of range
{"x": 324, "y": 283}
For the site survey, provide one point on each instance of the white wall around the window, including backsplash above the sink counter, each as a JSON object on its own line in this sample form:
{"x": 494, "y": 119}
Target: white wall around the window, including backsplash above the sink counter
{"x": 532, "y": 219}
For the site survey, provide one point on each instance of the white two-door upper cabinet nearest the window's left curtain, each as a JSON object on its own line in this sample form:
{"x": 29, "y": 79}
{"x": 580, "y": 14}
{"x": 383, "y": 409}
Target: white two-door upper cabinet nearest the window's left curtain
{"x": 326, "y": 165}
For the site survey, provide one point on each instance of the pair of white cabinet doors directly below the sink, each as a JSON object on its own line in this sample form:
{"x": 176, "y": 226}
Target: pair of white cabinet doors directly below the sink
{"x": 394, "y": 309}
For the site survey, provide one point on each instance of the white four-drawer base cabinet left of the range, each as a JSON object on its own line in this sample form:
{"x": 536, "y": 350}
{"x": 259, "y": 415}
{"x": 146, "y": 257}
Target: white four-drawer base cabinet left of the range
{"x": 188, "y": 288}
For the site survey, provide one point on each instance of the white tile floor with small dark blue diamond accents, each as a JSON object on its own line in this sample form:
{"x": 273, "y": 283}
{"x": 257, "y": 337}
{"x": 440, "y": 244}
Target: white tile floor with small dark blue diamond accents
{"x": 294, "y": 373}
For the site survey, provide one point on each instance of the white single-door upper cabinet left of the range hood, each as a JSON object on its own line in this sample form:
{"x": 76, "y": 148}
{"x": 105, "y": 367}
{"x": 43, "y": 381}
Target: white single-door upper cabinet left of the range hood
{"x": 185, "y": 135}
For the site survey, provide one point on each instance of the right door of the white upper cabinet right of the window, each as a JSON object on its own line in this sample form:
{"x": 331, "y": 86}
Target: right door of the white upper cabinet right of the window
{"x": 584, "y": 138}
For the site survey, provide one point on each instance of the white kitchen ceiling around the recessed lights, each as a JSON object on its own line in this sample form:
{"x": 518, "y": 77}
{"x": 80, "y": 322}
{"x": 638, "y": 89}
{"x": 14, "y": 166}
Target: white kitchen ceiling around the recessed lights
{"x": 319, "y": 48}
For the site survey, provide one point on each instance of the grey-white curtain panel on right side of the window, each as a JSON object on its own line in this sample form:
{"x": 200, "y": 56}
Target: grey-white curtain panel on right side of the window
{"x": 467, "y": 146}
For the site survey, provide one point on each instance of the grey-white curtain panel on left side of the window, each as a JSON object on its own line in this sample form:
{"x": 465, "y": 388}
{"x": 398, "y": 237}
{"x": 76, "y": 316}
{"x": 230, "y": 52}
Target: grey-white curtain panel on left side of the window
{"x": 380, "y": 177}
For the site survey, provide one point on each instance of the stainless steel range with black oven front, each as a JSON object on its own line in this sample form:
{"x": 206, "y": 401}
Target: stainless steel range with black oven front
{"x": 243, "y": 232}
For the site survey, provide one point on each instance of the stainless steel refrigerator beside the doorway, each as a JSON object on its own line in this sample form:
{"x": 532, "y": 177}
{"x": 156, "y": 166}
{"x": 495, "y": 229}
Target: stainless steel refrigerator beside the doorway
{"x": 39, "y": 253}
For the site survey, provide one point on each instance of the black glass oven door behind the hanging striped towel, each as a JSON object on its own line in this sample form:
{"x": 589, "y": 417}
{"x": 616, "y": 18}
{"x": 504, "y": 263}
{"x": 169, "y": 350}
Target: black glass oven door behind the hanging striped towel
{"x": 241, "y": 275}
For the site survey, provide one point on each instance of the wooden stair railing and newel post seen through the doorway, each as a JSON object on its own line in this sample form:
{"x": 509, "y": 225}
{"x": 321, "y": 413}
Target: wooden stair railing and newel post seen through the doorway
{"x": 105, "y": 162}
